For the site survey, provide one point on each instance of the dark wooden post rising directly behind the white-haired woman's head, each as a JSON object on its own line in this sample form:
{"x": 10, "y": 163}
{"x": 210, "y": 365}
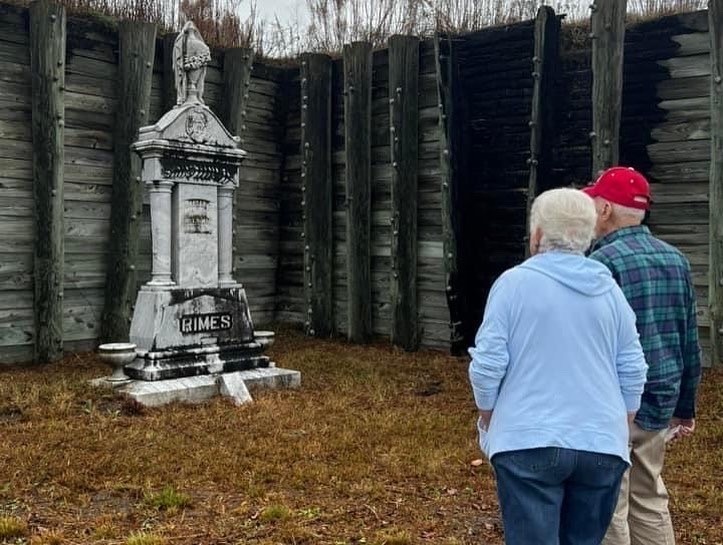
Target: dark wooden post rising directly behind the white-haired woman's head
{"x": 544, "y": 61}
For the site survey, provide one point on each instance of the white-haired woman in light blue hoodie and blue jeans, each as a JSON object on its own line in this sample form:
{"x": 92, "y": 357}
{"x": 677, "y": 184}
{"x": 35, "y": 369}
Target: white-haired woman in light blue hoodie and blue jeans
{"x": 557, "y": 372}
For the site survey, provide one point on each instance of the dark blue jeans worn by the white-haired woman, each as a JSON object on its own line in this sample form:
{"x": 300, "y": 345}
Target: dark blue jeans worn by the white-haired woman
{"x": 557, "y": 496}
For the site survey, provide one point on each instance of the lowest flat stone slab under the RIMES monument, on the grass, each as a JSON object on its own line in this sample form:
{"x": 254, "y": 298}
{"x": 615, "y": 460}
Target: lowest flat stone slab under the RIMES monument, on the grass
{"x": 201, "y": 388}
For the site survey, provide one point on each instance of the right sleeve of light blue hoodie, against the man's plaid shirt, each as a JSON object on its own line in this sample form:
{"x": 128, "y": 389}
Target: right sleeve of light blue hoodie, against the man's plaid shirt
{"x": 630, "y": 360}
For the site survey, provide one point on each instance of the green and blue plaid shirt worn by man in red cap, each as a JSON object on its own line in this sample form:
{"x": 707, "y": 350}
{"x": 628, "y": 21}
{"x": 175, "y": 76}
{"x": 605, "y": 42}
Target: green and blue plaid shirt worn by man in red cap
{"x": 655, "y": 278}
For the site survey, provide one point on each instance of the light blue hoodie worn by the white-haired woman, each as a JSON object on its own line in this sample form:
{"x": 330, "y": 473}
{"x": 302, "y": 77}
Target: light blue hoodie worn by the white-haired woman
{"x": 557, "y": 358}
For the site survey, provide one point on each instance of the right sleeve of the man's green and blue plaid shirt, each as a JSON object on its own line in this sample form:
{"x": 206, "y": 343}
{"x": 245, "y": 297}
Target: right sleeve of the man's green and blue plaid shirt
{"x": 690, "y": 379}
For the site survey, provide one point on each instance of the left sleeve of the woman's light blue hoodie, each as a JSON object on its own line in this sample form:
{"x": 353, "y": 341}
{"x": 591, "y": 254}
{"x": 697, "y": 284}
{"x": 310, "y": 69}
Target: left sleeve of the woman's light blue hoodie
{"x": 490, "y": 355}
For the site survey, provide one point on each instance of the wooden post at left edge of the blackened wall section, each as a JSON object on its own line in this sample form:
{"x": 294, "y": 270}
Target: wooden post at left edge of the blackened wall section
{"x": 447, "y": 124}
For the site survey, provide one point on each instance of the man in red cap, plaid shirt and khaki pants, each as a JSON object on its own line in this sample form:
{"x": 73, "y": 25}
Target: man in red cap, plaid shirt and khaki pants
{"x": 655, "y": 278}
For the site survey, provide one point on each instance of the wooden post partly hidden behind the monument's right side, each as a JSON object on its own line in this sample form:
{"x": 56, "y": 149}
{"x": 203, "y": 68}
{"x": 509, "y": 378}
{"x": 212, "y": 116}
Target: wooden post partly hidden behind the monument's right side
{"x": 237, "y": 68}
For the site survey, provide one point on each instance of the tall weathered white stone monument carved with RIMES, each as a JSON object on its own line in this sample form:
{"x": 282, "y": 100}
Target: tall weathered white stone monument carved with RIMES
{"x": 192, "y": 318}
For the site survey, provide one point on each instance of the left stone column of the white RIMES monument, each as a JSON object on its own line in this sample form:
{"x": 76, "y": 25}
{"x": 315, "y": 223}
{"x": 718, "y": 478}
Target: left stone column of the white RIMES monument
{"x": 160, "y": 194}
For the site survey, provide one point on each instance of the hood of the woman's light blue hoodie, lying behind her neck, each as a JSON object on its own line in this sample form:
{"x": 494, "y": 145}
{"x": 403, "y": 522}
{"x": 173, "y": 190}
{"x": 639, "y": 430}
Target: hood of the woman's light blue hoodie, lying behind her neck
{"x": 574, "y": 271}
